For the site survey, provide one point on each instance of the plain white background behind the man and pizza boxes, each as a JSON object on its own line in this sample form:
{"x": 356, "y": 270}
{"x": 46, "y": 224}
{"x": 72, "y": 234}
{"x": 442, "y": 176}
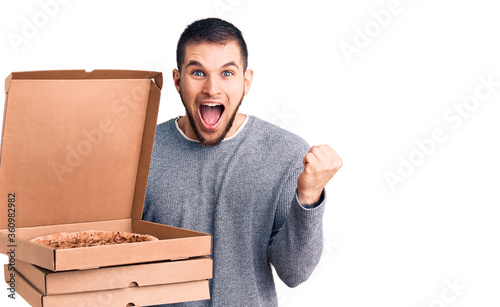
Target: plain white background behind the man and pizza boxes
{"x": 392, "y": 247}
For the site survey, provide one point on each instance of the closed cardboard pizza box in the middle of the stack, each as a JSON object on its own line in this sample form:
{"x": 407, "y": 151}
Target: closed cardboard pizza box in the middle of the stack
{"x": 108, "y": 278}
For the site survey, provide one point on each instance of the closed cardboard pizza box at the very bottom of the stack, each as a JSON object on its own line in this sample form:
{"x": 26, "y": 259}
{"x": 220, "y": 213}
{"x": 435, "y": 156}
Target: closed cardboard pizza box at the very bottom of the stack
{"x": 130, "y": 296}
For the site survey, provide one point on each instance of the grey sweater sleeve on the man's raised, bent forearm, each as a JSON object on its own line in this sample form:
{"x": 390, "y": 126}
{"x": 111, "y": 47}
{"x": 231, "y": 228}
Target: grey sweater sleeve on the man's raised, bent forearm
{"x": 297, "y": 239}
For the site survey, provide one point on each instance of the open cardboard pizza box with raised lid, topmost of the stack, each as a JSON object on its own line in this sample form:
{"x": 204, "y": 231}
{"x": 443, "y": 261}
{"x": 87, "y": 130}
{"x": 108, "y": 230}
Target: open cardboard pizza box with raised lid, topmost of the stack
{"x": 75, "y": 154}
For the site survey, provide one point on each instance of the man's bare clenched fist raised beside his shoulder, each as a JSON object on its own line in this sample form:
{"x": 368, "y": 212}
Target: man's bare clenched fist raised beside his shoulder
{"x": 320, "y": 164}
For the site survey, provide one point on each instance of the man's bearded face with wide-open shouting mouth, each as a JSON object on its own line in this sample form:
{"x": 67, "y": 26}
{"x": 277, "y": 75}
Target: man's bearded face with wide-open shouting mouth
{"x": 212, "y": 83}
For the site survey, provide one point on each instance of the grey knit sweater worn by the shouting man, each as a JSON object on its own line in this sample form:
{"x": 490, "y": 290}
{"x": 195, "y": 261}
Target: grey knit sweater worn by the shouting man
{"x": 243, "y": 192}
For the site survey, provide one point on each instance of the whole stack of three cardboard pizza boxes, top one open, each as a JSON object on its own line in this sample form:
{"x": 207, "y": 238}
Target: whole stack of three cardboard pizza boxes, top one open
{"x": 75, "y": 155}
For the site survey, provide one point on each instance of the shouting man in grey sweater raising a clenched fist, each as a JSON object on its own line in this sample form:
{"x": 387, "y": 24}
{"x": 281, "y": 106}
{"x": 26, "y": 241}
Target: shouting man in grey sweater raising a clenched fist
{"x": 258, "y": 189}
